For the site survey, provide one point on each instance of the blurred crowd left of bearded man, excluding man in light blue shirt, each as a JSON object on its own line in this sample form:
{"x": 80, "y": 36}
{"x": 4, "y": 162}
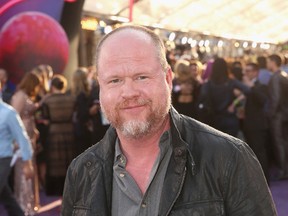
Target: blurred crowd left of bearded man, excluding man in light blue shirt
{"x": 60, "y": 123}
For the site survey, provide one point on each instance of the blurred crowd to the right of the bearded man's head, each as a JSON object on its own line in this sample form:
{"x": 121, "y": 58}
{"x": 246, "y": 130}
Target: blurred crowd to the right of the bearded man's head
{"x": 246, "y": 99}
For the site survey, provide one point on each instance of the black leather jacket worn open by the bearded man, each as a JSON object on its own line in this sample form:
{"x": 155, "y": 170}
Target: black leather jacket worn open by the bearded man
{"x": 209, "y": 174}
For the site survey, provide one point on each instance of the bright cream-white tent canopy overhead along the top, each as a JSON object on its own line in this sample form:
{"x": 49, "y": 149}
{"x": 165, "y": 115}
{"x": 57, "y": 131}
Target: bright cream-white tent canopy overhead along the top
{"x": 252, "y": 20}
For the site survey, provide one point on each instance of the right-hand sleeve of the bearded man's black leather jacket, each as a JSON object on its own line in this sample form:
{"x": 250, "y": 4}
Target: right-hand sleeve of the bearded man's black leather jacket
{"x": 246, "y": 191}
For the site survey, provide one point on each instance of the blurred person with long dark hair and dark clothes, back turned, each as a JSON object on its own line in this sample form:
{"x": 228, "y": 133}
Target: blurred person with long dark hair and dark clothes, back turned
{"x": 219, "y": 91}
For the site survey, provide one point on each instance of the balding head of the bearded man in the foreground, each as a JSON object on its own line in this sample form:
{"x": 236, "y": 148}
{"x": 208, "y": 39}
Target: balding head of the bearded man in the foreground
{"x": 135, "y": 80}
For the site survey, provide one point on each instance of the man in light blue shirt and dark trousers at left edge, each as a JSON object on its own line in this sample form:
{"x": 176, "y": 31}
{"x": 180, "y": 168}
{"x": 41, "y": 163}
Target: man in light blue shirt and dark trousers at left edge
{"x": 12, "y": 129}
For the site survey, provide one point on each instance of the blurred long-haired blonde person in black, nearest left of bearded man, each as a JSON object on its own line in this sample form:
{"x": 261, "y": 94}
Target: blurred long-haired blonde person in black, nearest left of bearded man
{"x": 82, "y": 121}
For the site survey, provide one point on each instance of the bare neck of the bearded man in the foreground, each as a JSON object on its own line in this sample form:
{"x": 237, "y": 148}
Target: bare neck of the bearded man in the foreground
{"x": 143, "y": 147}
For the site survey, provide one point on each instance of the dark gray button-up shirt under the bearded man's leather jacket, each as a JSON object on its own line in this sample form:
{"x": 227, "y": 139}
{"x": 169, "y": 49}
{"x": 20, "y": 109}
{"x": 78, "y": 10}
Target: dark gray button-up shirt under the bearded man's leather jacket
{"x": 127, "y": 198}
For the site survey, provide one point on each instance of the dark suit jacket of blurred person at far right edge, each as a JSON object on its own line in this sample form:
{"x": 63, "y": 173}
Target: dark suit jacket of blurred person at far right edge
{"x": 278, "y": 88}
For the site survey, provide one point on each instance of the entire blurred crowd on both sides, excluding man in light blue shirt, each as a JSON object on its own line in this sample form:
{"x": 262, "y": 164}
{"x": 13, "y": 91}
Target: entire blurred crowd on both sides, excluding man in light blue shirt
{"x": 245, "y": 99}
